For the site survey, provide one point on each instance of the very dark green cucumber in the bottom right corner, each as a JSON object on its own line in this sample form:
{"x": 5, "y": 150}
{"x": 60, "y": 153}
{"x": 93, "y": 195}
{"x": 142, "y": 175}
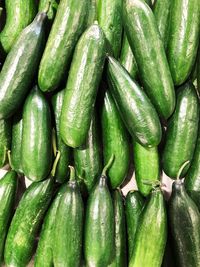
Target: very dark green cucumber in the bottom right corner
{"x": 184, "y": 219}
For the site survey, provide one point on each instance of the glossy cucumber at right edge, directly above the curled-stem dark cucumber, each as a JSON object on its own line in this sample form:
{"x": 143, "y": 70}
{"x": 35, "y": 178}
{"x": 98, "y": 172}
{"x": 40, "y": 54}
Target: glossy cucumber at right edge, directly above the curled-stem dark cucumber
{"x": 181, "y": 132}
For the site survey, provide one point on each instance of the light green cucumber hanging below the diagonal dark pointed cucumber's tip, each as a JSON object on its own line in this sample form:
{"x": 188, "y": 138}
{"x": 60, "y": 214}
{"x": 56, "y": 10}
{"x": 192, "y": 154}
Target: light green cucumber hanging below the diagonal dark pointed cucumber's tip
{"x": 147, "y": 166}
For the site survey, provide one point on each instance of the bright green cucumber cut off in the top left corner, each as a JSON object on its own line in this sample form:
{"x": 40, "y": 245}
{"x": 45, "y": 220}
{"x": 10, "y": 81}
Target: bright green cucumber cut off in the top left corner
{"x": 19, "y": 14}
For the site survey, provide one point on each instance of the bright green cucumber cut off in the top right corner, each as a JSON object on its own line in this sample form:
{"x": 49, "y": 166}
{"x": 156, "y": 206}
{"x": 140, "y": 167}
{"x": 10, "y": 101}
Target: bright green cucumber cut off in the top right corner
{"x": 183, "y": 38}
